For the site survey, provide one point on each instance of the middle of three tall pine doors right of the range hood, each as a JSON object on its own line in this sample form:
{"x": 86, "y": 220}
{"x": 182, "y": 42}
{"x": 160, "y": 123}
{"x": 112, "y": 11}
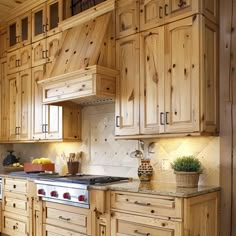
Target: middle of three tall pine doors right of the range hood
{"x": 152, "y": 81}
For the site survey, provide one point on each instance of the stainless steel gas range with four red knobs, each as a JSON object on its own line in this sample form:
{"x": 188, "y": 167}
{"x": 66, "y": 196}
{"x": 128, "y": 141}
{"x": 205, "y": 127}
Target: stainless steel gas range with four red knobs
{"x": 71, "y": 190}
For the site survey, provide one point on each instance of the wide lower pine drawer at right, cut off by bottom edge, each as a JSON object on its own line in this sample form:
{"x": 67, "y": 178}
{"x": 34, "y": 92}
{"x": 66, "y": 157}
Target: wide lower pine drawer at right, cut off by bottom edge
{"x": 128, "y": 224}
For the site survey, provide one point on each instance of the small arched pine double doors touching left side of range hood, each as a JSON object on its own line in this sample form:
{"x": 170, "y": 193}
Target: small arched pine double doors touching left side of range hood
{"x": 45, "y": 50}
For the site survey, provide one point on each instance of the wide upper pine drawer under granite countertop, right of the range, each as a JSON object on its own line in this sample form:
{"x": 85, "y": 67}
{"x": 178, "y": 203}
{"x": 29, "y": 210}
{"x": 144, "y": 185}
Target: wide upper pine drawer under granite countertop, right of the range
{"x": 151, "y": 205}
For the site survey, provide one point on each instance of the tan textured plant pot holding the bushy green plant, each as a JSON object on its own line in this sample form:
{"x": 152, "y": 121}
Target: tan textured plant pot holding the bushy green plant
{"x": 187, "y": 179}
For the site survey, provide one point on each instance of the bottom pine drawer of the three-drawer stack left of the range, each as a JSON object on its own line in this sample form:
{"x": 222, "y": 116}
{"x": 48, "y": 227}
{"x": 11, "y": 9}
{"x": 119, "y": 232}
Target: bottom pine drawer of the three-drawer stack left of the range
{"x": 14, "y": 224}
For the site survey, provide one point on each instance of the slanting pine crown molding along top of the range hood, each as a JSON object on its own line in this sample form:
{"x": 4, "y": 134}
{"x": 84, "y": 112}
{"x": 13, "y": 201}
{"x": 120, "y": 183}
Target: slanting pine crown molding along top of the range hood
{"x": 88, "y": 15}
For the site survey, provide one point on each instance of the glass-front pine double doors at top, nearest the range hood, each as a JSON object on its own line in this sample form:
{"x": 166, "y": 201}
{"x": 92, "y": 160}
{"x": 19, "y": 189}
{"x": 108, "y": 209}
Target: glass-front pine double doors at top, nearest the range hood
{"x": 45, "y": 19}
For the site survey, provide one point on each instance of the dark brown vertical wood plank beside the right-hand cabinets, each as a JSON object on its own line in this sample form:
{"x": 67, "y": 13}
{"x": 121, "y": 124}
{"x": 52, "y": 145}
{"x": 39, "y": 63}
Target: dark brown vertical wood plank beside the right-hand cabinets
{"x": 225, "y": 117}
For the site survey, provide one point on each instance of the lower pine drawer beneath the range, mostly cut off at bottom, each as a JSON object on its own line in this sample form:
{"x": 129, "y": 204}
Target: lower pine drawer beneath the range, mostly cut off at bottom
{"x": 49, "y": 230}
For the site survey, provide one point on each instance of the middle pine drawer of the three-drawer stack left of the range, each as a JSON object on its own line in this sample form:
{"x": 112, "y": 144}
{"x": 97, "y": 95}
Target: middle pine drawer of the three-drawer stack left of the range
{"x": 15, "y": 203}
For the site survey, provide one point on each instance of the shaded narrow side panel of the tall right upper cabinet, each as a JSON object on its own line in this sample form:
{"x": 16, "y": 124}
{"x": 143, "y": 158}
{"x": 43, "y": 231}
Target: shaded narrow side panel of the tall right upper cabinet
{"x": 210, "y": 73}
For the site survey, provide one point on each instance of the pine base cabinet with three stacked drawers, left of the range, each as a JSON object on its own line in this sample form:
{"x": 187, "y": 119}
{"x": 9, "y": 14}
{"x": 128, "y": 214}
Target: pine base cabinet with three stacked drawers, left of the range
{"x": 17, "y": 205}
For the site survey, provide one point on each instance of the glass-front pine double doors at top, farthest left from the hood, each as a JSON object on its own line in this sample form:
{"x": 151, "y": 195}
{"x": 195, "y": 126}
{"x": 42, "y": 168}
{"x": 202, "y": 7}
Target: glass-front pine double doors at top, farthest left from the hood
{"x": 19, "y": 31}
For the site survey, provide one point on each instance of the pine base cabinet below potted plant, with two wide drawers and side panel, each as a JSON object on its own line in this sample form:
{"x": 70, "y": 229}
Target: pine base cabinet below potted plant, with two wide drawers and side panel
{"x": 145, "y": 214}
